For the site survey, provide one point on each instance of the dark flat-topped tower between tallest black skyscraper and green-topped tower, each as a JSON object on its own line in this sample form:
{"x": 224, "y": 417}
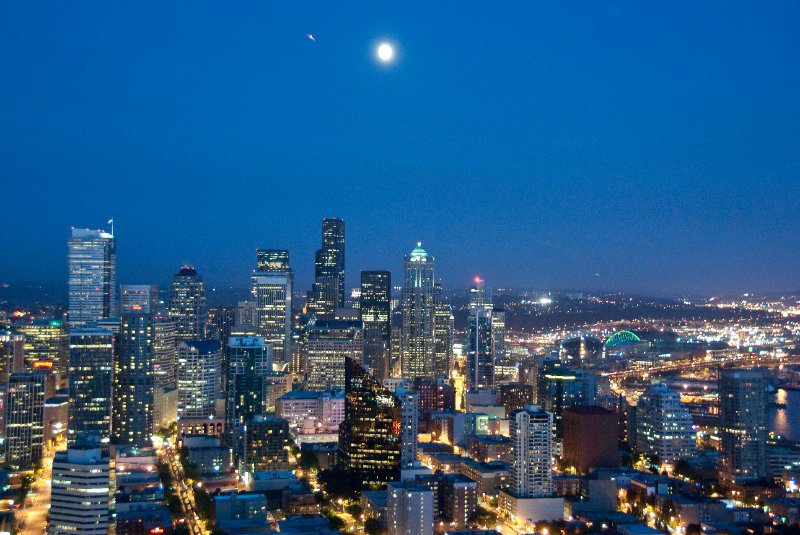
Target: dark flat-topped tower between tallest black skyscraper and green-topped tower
{"x": 376, "y": 309}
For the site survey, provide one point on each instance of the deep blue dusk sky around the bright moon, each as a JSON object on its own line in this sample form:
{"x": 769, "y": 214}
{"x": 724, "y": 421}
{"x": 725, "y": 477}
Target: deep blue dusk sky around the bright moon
{"x": 656, "y": 145}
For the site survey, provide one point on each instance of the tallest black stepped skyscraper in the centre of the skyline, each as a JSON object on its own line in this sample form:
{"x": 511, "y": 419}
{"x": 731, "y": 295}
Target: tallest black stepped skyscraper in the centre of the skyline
{"x": 327, "y": 292}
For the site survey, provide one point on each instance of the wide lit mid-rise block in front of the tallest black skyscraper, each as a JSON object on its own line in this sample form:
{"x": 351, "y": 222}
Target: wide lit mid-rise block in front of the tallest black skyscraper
{"x": 327, "y": 345}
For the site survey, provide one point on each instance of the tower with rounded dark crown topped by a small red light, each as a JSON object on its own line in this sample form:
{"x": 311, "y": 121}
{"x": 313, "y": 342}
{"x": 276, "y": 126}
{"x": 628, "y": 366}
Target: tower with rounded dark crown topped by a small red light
{"x": 187, "y": 304}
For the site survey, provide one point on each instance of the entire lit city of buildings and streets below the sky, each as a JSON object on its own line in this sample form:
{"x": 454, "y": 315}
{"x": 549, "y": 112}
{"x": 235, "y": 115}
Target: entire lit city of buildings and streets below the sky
{"x": 397, "y": 407}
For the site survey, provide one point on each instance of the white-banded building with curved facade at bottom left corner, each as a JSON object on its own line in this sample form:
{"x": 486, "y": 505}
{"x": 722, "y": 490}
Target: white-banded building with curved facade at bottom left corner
{"x": 80, "y": 500}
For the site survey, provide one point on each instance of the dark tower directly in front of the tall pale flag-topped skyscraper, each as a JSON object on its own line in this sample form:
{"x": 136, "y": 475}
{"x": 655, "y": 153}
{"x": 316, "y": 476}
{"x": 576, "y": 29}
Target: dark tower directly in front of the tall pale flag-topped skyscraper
{"x": 90, "y": 372}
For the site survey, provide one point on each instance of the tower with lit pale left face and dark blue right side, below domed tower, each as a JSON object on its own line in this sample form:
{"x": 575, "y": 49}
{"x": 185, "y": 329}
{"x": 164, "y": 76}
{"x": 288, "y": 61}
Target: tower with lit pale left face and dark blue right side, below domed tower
{"x": 199, "y": 378}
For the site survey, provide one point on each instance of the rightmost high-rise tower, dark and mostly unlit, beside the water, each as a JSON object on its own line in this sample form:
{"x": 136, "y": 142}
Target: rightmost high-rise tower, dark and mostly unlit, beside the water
{"x": 742, "y": 424}
